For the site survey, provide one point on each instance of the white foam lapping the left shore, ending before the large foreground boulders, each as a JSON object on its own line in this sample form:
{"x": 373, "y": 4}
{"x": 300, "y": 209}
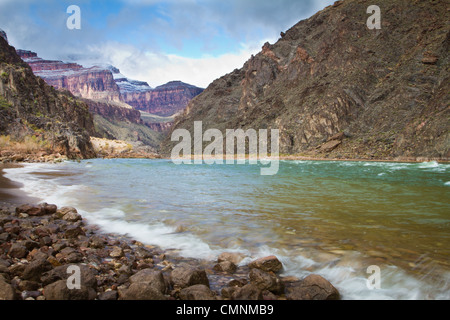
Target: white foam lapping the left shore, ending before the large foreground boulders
{"x": 110, "y": 220}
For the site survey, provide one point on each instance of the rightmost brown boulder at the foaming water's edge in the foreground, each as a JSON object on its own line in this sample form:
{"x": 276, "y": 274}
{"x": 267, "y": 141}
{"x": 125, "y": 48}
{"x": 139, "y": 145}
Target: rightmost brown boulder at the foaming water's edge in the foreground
{"x": 313, "y": 287}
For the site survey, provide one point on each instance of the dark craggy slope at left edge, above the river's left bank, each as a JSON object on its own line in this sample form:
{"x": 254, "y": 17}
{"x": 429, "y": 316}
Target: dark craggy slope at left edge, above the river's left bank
{"x": 31, "y": 109}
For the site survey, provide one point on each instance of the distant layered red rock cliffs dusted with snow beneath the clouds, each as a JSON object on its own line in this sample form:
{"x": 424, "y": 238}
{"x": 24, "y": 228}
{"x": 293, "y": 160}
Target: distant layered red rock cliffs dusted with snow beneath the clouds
{"x": 107, "y": 83}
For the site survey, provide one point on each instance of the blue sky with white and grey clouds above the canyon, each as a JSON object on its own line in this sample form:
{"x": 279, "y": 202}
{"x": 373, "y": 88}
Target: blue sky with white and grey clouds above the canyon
{"x": 195, "y": 41}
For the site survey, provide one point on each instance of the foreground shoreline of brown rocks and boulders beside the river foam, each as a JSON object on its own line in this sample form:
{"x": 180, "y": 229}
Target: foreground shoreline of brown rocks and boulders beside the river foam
{"x": 41, "y": 245}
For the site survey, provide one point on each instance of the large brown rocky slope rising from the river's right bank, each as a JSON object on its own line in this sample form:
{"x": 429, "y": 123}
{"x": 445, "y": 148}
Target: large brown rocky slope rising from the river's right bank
{"x": 336, "y": 89}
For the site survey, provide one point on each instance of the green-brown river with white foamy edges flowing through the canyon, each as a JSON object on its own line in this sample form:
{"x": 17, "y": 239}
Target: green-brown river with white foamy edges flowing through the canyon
{"x": 332, "y": 218}
